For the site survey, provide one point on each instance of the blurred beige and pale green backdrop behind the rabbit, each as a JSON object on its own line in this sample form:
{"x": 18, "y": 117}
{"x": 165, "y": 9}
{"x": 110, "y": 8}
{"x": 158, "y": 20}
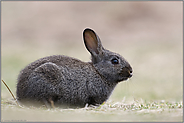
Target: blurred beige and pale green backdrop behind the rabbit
{"x": 147, "y": 34}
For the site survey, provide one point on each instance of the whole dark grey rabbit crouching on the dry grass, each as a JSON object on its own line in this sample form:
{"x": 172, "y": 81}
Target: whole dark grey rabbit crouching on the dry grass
{"x": 64, "y": 81}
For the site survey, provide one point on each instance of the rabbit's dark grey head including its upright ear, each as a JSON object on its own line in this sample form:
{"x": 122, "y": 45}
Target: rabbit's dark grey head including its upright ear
{"x": 111, "y": 66}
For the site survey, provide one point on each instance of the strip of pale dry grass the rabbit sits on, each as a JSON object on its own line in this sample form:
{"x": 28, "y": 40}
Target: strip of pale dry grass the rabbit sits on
{"x": 109, "y": 111}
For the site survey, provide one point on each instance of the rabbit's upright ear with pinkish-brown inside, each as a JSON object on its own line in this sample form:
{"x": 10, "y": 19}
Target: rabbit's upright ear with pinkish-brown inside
{"x": 92, "y": 42}
